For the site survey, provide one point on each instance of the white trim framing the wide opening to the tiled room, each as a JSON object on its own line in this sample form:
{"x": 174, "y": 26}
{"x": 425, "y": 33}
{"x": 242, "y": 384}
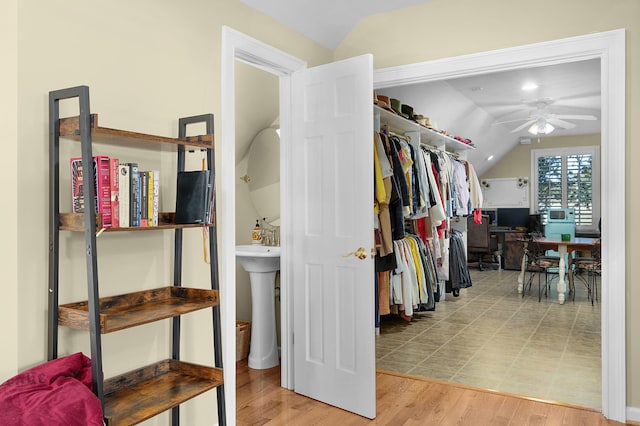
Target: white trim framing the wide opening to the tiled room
{"x": 609, "y": 47}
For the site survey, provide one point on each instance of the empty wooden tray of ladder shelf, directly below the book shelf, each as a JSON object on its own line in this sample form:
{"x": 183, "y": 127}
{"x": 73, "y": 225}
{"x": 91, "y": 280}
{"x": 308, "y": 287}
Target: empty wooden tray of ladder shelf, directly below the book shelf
{"x": 142, "y": 307}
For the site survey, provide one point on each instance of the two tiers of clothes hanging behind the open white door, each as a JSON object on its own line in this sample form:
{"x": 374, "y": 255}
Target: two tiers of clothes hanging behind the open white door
{"x": 419, "y": 190}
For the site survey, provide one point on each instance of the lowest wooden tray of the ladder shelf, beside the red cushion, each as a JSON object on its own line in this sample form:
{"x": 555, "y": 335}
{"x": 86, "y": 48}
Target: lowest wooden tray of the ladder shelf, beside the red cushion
{"x": 139, "y": 395}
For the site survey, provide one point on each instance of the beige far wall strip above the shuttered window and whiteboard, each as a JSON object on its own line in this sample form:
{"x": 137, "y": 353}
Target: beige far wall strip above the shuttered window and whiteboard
{"x": 517, "y": 162}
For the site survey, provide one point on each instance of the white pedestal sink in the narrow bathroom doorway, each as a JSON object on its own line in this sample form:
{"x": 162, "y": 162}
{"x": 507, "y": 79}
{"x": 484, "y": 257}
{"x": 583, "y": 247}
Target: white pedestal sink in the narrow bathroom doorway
{"x": 262, "y": 263}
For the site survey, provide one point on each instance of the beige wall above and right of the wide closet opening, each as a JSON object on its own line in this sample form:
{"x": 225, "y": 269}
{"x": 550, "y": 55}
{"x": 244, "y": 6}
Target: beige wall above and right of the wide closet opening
{"x": 446, "y": 28}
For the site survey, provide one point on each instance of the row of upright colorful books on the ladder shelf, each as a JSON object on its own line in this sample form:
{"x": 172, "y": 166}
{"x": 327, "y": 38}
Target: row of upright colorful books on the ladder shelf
{"x": 124, "y": 195}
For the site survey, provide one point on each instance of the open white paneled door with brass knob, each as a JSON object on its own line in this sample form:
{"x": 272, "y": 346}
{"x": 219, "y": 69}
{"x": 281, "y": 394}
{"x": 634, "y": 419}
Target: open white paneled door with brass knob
{"x": 333, "y": 289}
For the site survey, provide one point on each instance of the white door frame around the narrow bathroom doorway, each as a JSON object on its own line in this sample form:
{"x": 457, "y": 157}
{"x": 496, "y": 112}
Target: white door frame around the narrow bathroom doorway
{"x": 237, "y": 46}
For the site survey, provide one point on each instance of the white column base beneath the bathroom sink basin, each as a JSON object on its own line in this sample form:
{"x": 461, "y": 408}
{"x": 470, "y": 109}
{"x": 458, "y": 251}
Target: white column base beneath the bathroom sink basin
{"x": 263, "y": 352}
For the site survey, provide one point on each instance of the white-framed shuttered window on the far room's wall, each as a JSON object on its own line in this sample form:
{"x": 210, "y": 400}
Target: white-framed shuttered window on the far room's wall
{"x": 568, "y": 178}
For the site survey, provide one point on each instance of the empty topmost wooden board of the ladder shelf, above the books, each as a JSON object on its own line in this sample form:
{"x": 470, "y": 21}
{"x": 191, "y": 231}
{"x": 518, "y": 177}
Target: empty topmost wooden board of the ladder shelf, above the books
{"x": 69, "y": 128}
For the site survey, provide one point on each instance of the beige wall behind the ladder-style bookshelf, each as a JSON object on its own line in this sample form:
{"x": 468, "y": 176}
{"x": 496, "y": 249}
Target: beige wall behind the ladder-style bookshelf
{"x": 147, "y": 63}
